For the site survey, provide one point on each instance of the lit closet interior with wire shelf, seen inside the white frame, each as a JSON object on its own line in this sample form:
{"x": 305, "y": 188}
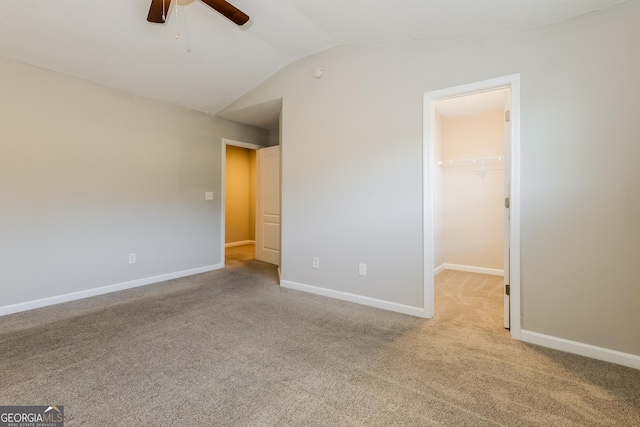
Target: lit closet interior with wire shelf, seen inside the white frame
{"x": 469, "y": 193}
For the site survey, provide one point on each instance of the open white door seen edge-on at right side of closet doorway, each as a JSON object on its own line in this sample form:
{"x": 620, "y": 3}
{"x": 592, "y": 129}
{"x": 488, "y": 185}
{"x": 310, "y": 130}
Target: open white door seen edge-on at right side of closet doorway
{"x": 507, "y": 211}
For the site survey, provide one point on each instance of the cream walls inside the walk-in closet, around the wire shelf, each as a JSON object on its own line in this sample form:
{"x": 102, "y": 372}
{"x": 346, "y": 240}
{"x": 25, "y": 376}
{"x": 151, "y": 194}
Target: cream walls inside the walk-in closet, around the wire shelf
{"x": 472, "y": 210}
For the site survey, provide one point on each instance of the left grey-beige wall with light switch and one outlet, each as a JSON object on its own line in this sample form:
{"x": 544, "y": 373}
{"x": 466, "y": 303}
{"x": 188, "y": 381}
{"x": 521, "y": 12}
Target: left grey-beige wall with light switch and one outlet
{"x": 90, "y": 174}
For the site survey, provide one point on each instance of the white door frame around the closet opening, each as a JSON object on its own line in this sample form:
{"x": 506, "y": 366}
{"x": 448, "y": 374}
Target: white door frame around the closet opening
{"x": 429, "y": 164}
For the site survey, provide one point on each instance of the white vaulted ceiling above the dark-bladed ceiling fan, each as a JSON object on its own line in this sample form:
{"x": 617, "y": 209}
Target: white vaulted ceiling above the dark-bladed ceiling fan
{"x": 214, "y": 61}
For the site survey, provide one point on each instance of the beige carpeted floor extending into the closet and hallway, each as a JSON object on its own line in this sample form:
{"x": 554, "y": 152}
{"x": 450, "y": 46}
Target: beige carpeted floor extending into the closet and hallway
{"x": 232, "y": 348}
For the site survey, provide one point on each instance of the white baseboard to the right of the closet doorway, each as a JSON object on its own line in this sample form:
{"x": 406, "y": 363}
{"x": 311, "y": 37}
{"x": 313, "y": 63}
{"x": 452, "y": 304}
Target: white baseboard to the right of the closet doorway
{"x": 600, "y": 353}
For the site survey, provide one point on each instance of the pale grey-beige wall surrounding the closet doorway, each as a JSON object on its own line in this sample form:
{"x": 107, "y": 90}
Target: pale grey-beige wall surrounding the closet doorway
{"x": 352, "y": 150}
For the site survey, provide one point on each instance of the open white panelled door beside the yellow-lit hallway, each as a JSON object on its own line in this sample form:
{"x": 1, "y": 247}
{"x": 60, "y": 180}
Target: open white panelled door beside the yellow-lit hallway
{"x": 268, "y": 205}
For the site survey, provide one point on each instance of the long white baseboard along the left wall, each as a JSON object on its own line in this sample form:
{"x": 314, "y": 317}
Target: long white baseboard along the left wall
{"x": 44, "y": 302}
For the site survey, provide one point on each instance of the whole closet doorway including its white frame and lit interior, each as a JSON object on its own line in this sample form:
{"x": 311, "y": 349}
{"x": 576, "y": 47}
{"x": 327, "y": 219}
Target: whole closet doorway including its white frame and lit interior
{"x": 472, "y": 201}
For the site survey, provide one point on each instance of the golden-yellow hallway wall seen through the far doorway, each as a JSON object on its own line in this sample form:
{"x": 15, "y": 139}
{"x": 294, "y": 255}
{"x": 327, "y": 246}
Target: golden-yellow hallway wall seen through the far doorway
{"x": 240, "y": 195}
